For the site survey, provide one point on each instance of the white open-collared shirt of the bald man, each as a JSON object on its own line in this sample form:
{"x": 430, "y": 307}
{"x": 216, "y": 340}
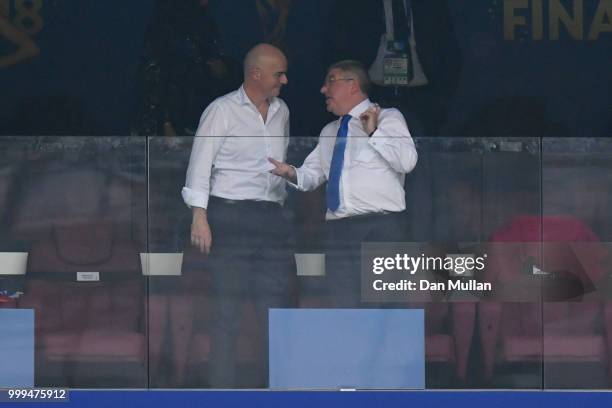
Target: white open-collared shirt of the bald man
{"x": 229, "y": 157}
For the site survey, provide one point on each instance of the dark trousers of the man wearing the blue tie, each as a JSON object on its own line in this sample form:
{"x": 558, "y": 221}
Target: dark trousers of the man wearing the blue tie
{"x": 343, "y": 252}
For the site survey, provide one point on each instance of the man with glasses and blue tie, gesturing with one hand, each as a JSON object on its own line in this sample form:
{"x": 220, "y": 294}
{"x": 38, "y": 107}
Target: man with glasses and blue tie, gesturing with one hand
{"x": 364, "y": 156}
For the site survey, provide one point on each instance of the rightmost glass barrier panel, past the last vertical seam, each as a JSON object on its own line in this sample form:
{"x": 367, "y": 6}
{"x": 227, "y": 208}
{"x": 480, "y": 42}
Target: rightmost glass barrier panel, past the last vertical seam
{"x": 575, "y": 195}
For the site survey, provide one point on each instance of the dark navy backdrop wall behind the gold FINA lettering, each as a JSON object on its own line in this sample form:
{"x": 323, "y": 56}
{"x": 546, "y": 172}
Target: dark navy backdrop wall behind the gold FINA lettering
{"x": 90, "y": 51}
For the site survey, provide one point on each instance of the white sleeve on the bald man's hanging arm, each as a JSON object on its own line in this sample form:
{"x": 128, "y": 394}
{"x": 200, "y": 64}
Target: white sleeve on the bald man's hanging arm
{"x": 207, "y": 142}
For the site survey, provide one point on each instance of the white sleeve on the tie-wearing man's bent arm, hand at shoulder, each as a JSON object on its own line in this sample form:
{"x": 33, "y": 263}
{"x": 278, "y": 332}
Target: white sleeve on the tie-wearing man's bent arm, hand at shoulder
{"x": 393, "y": 142}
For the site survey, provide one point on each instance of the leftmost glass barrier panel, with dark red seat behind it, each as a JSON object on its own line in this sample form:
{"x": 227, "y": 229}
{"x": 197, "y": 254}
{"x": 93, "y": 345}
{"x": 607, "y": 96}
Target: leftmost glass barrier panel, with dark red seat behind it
{"x": 72, "y": 209}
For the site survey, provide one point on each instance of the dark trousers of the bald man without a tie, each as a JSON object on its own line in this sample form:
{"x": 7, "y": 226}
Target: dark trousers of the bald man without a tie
{"x": 250, "y": 261}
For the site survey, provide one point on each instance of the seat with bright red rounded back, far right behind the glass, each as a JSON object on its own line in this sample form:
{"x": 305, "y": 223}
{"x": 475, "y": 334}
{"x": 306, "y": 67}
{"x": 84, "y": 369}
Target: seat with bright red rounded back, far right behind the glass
{"x": 538, "y": 329}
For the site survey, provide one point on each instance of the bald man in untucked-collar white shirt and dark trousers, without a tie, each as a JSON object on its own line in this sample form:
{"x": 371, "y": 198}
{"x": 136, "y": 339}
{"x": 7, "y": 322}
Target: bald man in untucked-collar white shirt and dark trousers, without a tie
{"x": 236, "y": 205}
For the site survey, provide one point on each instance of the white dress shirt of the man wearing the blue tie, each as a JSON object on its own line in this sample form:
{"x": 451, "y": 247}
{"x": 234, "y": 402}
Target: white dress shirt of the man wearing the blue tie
{"x": 374, "y": 169}
